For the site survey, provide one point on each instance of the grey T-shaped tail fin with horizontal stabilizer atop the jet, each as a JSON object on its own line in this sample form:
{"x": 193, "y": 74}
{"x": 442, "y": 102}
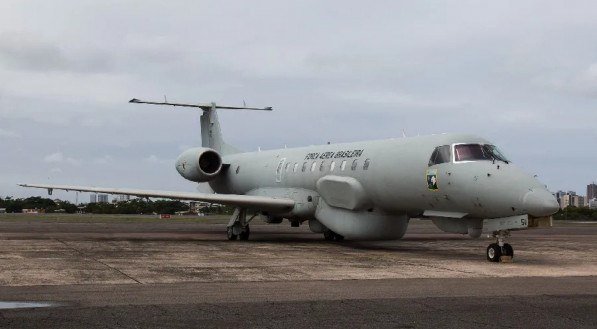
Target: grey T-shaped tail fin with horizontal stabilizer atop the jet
{"x": 211, "y": 134}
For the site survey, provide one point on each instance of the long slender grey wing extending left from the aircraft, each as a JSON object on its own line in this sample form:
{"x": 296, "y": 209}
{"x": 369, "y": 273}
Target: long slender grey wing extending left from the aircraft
{"x": 246, "y": 201}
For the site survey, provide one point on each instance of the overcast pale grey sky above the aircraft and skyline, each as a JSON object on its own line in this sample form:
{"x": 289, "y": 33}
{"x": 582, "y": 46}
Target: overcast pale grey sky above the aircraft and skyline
{"x": 522, "y": 74}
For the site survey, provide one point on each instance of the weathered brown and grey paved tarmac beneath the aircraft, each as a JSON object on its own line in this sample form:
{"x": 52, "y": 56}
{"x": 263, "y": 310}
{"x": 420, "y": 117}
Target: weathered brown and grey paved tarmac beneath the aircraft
{"x": 112, "y": 274}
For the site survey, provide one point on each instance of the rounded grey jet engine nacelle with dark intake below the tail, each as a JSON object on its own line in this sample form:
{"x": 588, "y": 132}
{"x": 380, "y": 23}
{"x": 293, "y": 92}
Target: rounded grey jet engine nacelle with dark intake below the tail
{"x": 199, "y": 164}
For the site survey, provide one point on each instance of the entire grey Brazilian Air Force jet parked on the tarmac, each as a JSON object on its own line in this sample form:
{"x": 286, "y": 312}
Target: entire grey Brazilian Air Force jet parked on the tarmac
{"x": 363, "y": 190}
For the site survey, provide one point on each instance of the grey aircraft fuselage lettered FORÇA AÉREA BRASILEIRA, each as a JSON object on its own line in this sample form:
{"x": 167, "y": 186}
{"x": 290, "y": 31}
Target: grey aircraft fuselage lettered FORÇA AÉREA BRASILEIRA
{"x": 395, "y": 180}
